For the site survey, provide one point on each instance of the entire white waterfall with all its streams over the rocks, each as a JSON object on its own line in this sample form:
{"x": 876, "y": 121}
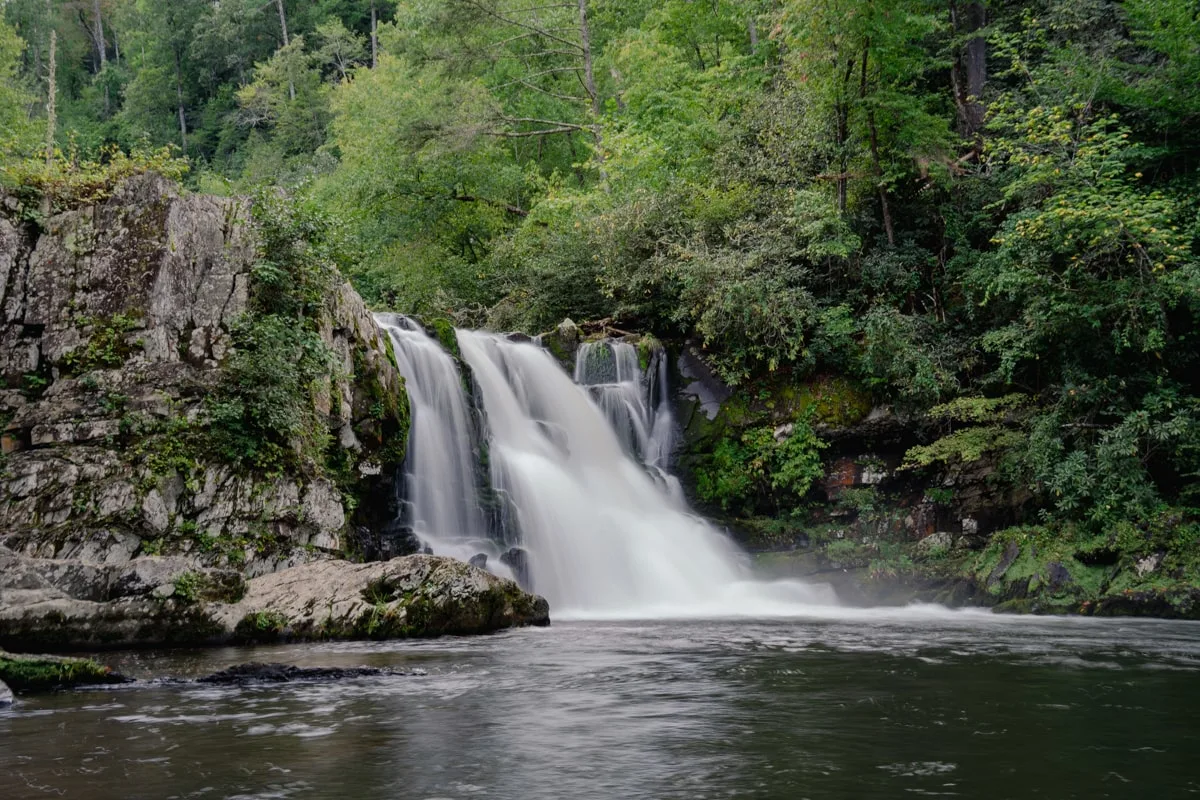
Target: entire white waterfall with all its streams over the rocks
{"x": 581, "y": 467}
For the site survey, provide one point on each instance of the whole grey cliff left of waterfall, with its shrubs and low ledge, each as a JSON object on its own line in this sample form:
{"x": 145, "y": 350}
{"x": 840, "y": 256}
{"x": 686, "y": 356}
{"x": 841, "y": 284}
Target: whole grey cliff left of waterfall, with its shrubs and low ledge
{"x": 134, "y": 488}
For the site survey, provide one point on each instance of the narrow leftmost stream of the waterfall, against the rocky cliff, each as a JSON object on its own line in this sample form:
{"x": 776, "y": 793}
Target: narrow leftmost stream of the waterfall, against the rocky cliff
{"x": 441, "y": 488}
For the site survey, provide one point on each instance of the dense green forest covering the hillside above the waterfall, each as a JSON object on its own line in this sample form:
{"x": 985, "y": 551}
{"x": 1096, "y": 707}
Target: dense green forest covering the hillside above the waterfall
{"x": 985, "y": 214}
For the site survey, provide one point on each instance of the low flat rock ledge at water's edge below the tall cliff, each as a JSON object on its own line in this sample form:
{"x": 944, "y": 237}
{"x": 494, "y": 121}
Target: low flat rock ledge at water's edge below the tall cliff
{"x": 47, "y": 605}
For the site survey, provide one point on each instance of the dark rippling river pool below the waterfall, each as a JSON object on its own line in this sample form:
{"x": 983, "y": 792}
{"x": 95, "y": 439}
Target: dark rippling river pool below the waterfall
{"x": 872, "y": 705}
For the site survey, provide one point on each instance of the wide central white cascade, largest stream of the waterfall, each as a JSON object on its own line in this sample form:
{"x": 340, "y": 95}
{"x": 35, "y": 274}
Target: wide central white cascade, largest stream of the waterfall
{"x": 605, "y": 539}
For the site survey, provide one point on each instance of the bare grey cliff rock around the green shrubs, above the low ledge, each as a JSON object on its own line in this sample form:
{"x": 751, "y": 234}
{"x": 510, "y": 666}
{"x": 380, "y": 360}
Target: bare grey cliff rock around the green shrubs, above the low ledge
{"x": 116, "y": 321}
